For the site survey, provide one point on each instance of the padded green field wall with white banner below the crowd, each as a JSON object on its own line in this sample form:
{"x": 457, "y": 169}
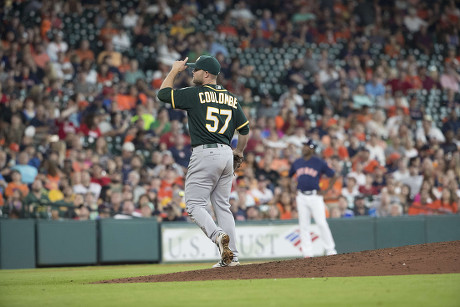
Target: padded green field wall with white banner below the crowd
{"x": 31, "y": 243}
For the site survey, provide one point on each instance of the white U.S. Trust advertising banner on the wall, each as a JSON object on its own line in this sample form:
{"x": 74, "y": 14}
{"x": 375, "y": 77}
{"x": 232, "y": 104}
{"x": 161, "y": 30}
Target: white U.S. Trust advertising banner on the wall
{"x": 185, "y": 244}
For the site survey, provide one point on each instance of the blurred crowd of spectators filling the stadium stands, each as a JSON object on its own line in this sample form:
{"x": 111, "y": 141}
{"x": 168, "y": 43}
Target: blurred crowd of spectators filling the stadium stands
{"x": 374, "y": 83}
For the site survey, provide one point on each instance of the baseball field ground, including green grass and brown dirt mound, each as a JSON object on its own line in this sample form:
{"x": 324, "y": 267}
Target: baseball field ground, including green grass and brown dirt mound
{"x": 405, "y": 277}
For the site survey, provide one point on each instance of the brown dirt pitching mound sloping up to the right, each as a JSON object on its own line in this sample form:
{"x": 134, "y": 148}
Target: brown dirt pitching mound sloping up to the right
{"x": 432, "y": 258}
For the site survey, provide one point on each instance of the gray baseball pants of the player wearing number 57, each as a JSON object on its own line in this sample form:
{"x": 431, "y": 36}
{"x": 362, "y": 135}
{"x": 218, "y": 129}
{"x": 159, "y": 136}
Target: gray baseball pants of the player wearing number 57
{"x": 209, "y": 177}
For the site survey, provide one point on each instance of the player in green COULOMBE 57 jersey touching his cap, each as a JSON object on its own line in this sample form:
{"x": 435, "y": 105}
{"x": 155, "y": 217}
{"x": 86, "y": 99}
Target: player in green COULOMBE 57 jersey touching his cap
{"x": 213, "y": 116}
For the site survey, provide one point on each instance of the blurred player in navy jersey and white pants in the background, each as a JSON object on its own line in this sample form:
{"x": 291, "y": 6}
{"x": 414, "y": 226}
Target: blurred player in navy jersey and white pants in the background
{"x": 306, "y": 173}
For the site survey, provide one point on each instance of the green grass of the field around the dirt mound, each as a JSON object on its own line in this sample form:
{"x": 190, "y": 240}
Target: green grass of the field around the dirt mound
{"x": 69, "y": 287}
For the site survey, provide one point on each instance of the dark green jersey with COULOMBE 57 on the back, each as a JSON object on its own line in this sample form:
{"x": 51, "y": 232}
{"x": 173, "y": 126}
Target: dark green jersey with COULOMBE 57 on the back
{"x": 213, "y": 113}
